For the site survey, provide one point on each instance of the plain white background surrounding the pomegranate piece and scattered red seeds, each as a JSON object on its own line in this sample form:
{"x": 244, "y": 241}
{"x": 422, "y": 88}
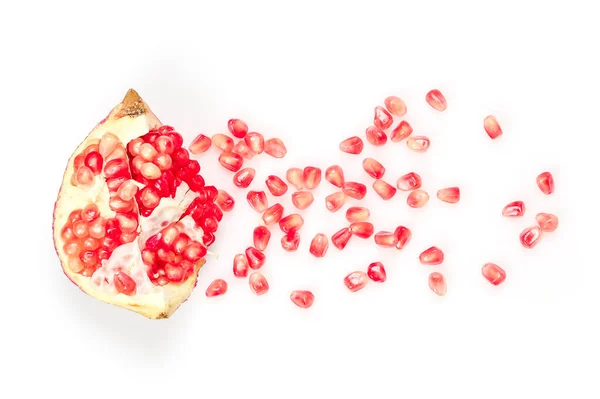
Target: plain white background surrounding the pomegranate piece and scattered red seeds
{"x": 311, "y": 75}
